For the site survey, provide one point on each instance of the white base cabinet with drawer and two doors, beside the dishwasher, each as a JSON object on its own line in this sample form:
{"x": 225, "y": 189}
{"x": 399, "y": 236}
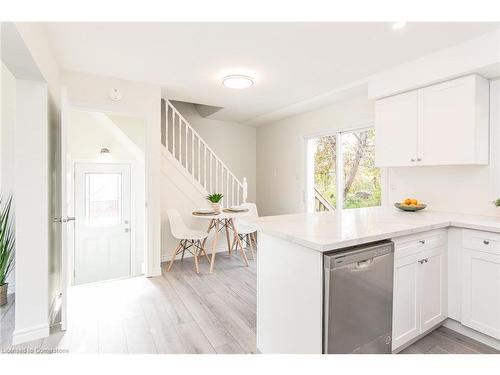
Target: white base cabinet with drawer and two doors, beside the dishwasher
{"x": 420, "y": 286}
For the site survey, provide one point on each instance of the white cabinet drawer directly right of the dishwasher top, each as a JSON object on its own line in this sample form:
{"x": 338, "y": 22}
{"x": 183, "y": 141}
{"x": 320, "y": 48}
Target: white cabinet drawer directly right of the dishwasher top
{"x": 416, "y": 243}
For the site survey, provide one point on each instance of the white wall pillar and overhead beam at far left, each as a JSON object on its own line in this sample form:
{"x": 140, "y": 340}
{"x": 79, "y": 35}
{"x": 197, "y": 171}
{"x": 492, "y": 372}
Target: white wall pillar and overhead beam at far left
{"x": 26, "y": 53}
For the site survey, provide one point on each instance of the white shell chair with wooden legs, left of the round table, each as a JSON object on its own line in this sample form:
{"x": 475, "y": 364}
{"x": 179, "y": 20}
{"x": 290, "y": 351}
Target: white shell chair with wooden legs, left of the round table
{"x": 189, "y": 239}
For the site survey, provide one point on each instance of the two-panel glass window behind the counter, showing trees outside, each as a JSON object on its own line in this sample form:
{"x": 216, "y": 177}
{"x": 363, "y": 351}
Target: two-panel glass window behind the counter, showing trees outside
{"x": 343, "y": 171}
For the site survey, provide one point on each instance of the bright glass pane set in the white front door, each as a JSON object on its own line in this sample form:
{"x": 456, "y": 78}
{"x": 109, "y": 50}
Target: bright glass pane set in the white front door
{"x": 103, "y": 199}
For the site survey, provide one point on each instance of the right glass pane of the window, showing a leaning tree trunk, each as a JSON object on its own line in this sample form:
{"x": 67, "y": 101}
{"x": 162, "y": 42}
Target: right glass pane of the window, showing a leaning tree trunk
{"x": 361, "y": 177}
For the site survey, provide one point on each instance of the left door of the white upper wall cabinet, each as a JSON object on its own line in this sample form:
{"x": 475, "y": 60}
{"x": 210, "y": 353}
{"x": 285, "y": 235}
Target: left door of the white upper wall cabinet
{"x": 396, "y": 120}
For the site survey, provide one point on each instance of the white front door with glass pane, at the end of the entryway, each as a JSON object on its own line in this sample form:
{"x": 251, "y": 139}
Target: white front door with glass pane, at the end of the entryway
{"x": 102, "y": 225}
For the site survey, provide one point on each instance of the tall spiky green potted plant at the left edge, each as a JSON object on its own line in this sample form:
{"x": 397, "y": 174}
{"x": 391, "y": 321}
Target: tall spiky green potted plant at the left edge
{"x": 7, "y": 247}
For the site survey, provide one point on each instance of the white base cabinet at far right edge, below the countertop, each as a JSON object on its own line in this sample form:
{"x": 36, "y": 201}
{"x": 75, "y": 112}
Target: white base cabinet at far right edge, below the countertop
{"x": 481, "y": 282}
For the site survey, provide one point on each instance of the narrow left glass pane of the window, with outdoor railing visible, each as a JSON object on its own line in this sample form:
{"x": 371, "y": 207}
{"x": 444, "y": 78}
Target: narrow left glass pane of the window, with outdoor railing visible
{"x": 325, "y": 179}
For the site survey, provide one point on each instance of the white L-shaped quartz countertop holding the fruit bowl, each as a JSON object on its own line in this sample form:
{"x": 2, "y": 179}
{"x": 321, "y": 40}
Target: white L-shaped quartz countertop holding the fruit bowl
{"x": 325, "y": 231}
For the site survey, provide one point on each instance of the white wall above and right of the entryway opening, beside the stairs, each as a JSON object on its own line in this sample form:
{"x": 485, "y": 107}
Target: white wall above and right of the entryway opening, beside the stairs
{"x": 90, "y": 92}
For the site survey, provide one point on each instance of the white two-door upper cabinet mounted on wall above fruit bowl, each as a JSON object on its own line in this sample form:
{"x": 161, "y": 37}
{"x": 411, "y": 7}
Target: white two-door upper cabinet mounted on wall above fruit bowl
{"x": 442, "y": 124}
